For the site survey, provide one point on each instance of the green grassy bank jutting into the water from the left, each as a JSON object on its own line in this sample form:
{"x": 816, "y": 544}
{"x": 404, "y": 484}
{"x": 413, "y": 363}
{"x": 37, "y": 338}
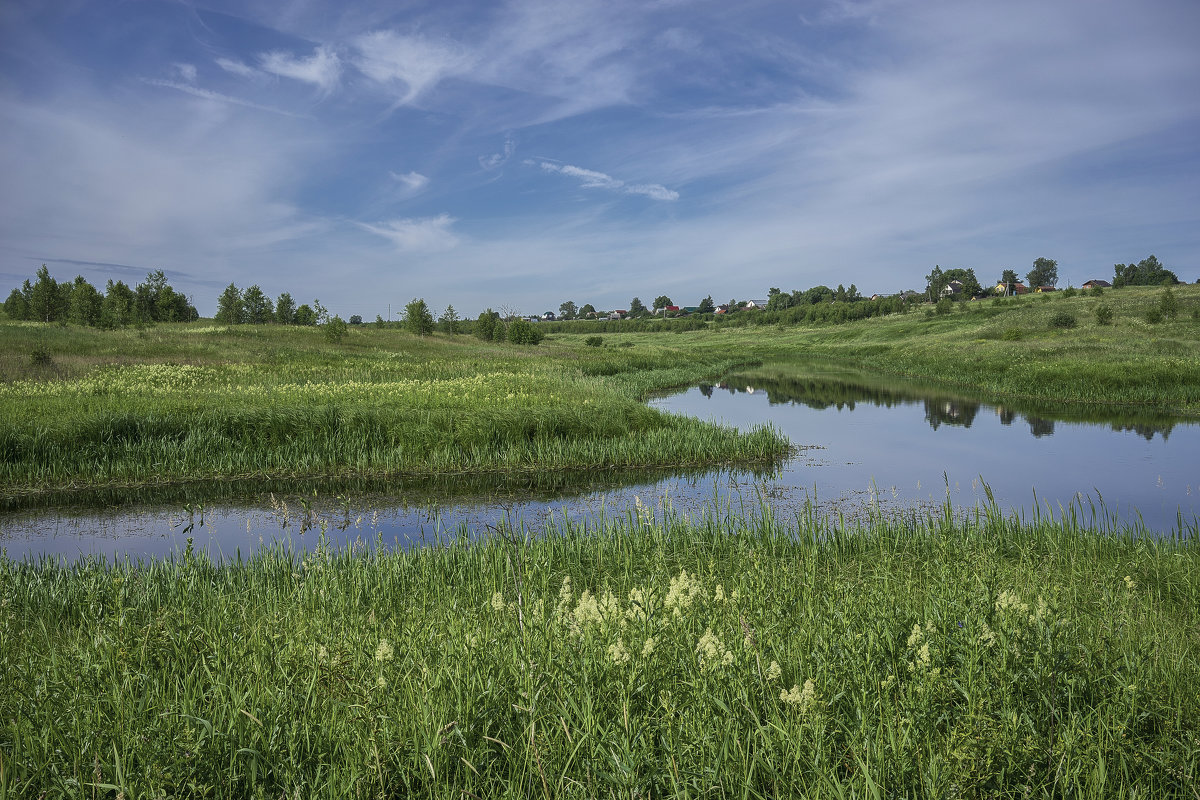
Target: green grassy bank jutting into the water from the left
{"x": 193, "y": 402}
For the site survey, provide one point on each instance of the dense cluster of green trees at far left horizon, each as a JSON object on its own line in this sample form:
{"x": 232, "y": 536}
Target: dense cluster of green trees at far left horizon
{"x": 80, "y": 303}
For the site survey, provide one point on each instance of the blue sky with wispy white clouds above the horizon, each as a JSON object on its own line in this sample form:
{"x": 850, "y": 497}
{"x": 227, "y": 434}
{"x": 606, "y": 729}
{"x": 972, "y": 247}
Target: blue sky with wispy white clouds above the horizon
{"x": 521, "y": 154}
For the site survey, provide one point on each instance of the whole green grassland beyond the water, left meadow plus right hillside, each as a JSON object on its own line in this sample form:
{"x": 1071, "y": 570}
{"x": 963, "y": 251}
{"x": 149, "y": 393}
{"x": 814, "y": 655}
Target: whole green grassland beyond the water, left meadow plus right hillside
{"x": 200, "y": 401}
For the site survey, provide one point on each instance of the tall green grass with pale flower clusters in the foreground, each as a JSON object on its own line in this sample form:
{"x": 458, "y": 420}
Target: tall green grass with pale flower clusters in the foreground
{"x": 646, "y": 657}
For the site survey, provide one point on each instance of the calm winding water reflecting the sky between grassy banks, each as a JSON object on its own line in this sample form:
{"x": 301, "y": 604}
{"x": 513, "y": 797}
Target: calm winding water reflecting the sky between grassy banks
{"x": 863, "y": 444}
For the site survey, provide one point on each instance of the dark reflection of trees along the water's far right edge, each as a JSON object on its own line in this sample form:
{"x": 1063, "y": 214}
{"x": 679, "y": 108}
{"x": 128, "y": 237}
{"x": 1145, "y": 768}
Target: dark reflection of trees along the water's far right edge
{"x": 820, "y": 393}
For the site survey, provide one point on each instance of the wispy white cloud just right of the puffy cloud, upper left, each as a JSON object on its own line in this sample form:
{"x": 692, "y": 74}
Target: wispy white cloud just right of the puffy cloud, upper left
{"x": 418, "y": 63}
